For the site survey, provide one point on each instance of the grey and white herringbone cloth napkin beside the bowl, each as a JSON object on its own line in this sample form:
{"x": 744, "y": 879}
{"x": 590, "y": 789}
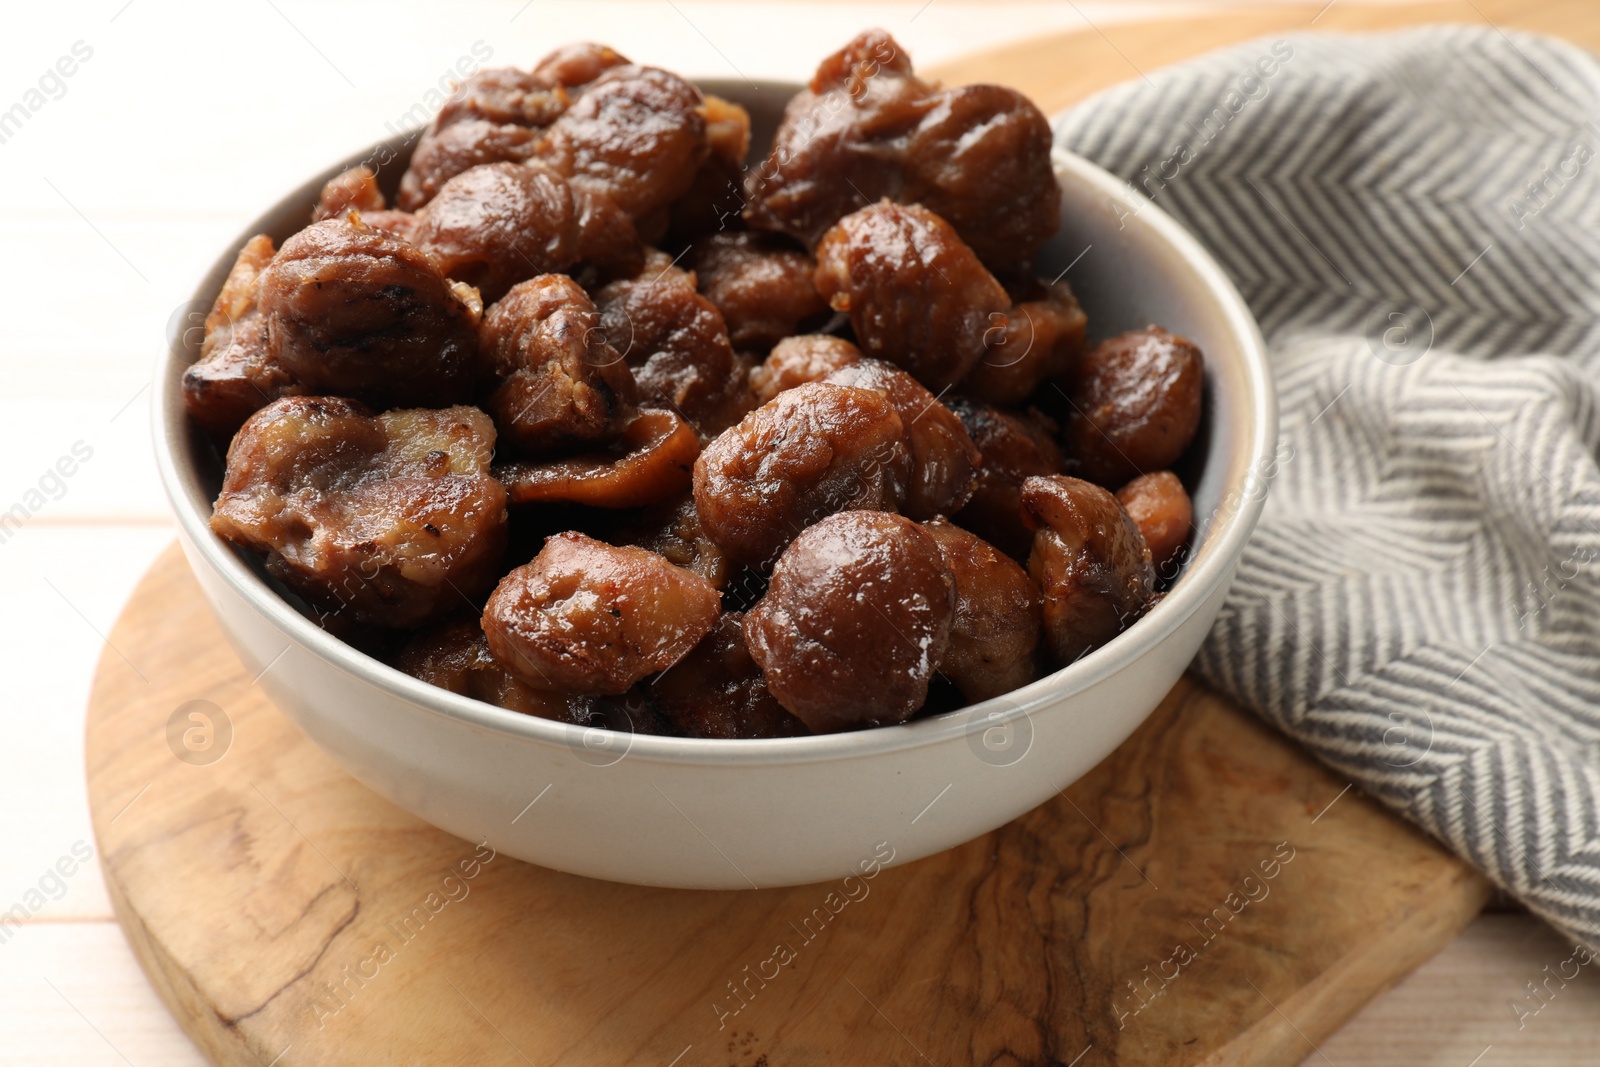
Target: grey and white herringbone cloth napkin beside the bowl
{"x": 1415, "y": 220}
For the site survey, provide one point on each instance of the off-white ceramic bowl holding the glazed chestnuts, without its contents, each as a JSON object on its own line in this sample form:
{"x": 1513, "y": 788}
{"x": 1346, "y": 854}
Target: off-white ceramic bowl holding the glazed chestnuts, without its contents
{"x": 698, "y": 813}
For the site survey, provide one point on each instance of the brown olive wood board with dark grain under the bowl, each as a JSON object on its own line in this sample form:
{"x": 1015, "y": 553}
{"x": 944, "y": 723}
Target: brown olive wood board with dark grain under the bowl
{"x": 1209, "y": 895}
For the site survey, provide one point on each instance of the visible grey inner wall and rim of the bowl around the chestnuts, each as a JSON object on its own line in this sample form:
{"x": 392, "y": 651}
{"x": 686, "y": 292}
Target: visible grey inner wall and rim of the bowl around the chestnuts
{"x": 1129, "y": 263}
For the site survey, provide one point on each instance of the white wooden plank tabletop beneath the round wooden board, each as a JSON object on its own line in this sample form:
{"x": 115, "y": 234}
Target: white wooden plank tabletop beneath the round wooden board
{"x": 119, "y": 188}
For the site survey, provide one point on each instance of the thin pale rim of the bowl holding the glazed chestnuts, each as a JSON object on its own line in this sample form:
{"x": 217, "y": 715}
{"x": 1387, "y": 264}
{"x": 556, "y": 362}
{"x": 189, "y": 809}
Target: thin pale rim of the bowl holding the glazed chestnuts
{"x": 1212, "y": 567}
